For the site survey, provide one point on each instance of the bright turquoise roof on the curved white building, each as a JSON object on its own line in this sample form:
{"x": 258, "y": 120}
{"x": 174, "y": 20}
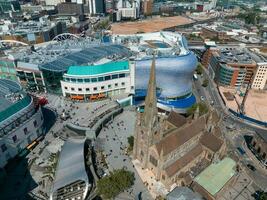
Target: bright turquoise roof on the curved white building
{"x": 98, "y": 69}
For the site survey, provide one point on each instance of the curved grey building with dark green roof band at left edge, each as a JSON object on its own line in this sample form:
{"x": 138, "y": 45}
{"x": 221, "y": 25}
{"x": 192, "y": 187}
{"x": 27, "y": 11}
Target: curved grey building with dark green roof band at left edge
{"x": 20, "y": 121}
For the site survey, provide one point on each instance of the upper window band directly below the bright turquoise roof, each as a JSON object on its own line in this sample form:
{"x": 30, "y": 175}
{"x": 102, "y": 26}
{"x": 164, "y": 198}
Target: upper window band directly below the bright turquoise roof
{"x": 96, "y": 79}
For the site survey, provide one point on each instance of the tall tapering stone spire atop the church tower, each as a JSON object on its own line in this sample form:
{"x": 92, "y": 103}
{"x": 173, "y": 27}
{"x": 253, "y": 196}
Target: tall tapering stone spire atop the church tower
{"x": 150, "y": 113}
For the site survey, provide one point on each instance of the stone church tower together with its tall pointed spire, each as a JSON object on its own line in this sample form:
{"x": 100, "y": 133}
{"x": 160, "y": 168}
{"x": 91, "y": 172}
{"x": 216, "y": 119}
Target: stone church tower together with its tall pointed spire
{"x": 147, "y": 125}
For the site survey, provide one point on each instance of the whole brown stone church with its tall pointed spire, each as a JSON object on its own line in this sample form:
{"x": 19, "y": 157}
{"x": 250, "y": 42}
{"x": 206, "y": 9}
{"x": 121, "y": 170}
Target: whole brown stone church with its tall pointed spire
{"x": 173, "y": 147}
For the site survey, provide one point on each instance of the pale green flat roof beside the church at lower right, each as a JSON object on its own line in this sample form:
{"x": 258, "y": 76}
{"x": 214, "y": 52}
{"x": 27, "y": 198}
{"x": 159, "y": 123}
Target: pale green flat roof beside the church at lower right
{"x": 214, "y": 177}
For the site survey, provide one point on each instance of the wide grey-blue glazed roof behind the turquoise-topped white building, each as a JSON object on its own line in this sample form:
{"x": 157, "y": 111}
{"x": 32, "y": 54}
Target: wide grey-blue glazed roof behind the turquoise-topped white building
{"x": 58, "y": 56}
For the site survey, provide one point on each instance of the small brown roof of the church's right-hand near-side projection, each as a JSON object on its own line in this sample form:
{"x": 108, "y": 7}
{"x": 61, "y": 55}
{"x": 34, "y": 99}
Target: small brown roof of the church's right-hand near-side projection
{"x": 211, "y": 142}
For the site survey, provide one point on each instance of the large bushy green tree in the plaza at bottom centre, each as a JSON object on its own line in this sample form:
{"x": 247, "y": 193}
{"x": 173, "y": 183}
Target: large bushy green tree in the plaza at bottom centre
{"x": 112, "y": 185}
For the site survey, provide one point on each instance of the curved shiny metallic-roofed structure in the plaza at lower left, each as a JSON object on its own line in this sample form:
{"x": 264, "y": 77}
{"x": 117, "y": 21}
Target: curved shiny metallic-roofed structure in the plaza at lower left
{"x": 71, "y": 178}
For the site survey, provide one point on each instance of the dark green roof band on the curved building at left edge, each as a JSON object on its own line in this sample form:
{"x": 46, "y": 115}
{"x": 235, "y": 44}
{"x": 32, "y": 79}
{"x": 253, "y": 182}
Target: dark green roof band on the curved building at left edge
{"x": 11, "y": 110}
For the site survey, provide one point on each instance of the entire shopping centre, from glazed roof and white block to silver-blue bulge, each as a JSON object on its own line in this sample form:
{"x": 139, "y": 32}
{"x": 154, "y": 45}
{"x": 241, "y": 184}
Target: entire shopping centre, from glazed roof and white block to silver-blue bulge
{"x": 88, "y": 69}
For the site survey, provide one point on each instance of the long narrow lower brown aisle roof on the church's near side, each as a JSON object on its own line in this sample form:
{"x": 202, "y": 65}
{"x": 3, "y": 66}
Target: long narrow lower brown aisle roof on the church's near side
{"x": 183, "y": 161}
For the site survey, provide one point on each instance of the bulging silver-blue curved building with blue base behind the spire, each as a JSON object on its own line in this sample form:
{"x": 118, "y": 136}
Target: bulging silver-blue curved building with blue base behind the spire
{"x": 175, "y": 66}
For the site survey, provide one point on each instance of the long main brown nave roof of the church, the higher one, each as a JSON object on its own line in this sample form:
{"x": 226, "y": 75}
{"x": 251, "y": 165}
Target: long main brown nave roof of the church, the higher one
{"x": 180, "y": 136}
